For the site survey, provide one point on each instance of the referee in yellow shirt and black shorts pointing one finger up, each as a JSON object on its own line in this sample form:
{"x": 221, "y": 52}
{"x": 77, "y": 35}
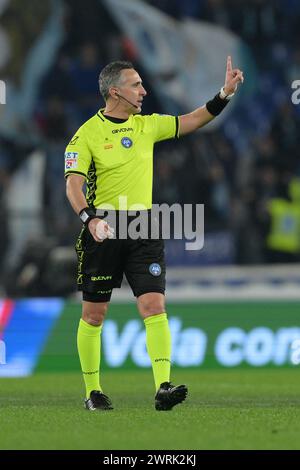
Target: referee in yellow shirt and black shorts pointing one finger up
{"x": 112, "y": 153}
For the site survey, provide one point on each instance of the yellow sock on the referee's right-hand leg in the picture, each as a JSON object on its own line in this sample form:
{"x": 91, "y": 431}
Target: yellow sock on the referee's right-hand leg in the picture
{"x": 158, "y": 341}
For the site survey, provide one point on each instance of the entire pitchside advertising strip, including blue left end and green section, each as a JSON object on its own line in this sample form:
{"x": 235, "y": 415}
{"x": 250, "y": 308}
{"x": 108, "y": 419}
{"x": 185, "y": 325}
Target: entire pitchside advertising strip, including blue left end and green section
{"x": 40, "y": 335}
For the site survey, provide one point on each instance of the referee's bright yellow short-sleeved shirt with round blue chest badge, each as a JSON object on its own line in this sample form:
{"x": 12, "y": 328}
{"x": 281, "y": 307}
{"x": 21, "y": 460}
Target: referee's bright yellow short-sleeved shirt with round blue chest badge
{"x": 116, "y": 158}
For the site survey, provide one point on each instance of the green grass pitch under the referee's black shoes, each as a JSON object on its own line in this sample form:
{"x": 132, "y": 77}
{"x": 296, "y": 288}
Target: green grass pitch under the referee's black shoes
{"x": 226, "y": 409}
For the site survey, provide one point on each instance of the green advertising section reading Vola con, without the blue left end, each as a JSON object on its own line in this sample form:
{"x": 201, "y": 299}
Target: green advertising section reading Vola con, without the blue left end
{"x": 204, "y": 335}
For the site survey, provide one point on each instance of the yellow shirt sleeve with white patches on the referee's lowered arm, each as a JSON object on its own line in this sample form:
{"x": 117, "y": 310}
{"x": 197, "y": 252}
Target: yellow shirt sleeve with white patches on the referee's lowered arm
{"x": 77, "y": 155}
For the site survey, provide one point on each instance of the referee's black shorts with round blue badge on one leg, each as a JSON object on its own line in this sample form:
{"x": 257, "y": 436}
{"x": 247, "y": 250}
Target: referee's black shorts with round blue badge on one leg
{"x": 101, "y": 266}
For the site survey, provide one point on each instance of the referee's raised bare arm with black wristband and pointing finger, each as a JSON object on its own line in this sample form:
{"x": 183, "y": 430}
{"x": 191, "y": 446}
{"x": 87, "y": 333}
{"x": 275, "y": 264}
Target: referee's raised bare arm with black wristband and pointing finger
{"x": 201, "y": 116}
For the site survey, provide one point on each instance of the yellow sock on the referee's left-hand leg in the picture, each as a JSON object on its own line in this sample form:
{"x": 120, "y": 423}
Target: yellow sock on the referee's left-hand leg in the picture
{"x": 89, "y": 344}
